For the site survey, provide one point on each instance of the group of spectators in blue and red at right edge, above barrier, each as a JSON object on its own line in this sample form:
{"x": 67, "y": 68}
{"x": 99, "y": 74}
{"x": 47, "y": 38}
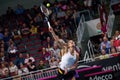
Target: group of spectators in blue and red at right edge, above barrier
{"x": 109, "y": 47}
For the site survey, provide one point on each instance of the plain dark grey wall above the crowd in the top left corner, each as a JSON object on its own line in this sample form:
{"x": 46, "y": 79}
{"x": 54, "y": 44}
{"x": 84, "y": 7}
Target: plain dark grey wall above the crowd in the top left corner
{"x": 4, "y": 4}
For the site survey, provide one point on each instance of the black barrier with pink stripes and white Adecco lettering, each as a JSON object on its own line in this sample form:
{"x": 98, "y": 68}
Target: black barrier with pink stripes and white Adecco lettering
{"x": 107, "y": 69}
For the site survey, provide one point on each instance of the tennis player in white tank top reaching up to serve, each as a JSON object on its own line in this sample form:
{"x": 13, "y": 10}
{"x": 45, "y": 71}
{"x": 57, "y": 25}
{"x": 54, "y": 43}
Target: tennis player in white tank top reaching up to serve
{"x": 69, "y": 58}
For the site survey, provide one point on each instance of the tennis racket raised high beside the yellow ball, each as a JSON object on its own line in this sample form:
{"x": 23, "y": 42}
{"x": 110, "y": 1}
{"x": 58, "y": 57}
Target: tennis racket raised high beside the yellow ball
{"x": 46, "y": 12}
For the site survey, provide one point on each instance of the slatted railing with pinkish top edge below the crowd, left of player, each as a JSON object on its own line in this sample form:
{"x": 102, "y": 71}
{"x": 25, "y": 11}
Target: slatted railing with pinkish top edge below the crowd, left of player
{"x": 39, "y": 74}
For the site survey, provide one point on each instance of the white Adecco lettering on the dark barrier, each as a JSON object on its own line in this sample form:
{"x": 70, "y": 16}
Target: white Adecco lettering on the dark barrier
{"x": 102, "y": 77}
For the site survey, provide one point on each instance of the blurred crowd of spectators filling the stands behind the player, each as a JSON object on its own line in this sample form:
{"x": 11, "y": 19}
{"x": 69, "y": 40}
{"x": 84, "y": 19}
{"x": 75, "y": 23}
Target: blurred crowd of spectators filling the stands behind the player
{"x": 19, "y": 23}
